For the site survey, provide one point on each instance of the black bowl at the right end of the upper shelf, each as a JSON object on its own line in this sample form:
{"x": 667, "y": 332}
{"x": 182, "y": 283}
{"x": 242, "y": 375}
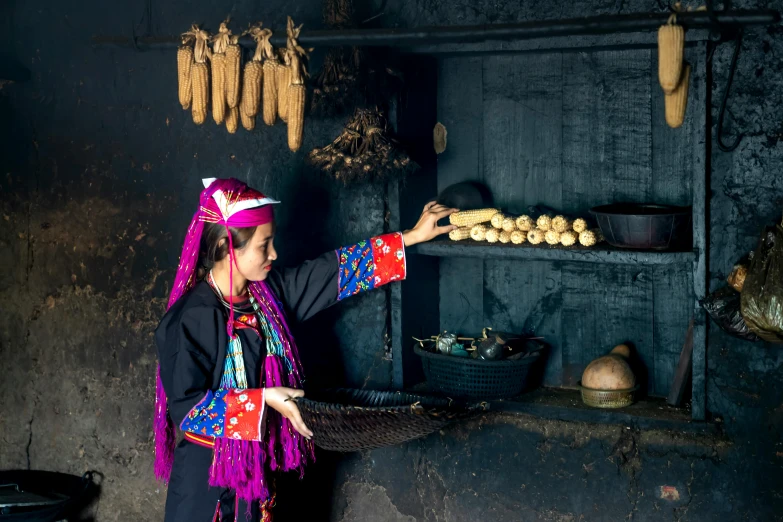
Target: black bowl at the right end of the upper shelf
{"x": 645, "y": 226}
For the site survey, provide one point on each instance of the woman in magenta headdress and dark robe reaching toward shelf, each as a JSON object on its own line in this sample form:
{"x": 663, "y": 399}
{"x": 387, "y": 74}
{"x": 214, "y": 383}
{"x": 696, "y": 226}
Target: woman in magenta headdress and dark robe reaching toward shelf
{"x": 228, "y": 363}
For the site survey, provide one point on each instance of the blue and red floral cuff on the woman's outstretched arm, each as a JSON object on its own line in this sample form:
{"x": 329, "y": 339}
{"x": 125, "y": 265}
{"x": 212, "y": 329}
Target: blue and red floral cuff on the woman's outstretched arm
{"x": 370, "y": 264}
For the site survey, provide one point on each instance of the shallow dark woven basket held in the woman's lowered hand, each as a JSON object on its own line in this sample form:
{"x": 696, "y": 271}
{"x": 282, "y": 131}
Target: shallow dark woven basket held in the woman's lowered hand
{"x": 353, "y": 420}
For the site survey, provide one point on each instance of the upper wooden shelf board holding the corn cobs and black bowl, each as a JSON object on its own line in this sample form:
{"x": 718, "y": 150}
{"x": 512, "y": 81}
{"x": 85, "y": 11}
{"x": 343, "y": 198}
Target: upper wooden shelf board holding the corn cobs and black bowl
{"x": 602, "y": 254}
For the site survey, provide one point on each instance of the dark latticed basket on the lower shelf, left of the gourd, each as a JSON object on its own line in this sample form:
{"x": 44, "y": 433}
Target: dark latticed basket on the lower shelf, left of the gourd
{"x": 467, "y": 378}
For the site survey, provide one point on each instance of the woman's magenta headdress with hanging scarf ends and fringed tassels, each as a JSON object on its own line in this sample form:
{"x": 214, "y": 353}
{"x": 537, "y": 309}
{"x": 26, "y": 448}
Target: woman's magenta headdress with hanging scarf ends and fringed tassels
{"x": 234, "y": 204}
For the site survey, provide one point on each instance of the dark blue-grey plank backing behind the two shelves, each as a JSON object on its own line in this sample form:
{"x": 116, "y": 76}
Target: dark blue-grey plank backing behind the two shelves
{"x": 570, "y": 130}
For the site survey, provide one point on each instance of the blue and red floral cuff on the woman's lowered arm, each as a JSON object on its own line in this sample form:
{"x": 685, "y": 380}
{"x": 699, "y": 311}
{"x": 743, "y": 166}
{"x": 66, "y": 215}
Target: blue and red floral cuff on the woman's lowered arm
{"x": 234, "y": 413}
